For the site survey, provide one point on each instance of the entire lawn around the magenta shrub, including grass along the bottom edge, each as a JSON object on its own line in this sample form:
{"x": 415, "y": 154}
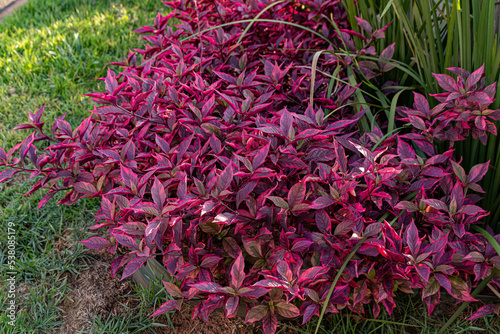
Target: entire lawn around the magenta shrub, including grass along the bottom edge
{"x": 51, "y": 51}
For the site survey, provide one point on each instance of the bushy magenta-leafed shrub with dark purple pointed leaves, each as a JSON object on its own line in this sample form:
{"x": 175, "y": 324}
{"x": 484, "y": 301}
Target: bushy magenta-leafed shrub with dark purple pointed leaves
{"x": 212, "y": 155}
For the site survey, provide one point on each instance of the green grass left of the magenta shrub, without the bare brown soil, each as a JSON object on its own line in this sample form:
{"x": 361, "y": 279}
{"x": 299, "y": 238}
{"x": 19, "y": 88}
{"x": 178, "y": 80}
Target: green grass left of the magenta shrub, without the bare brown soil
{"x": 51, "y": 51}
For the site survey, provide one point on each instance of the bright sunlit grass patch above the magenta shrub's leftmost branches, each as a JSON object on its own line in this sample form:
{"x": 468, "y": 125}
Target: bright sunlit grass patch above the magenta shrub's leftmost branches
{"x": 51, "y": 51}
